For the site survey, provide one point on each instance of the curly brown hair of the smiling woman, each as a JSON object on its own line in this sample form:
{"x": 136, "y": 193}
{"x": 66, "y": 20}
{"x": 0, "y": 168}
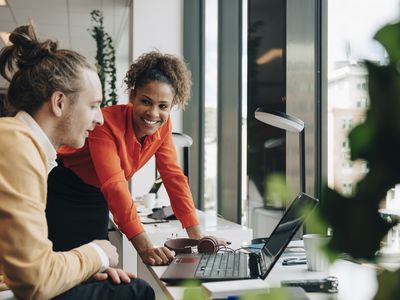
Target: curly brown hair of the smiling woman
{"x": 165, "y": 68}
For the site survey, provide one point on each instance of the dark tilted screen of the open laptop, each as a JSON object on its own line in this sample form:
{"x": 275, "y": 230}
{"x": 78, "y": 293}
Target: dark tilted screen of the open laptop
{"x": 284, "y": 231}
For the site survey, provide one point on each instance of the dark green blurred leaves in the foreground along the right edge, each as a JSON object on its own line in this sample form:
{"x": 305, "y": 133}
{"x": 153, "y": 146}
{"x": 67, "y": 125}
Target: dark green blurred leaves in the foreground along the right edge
{"x": 358, "y": 228}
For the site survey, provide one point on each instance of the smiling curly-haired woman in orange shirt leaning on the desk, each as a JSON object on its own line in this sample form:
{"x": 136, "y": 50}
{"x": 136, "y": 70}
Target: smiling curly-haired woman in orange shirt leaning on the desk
{"x": 94, "y": 179}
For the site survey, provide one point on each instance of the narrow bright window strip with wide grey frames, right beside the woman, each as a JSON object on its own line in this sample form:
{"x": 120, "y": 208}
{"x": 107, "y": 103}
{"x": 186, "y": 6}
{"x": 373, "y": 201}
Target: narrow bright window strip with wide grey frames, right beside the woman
{"x": 212, "y": 116}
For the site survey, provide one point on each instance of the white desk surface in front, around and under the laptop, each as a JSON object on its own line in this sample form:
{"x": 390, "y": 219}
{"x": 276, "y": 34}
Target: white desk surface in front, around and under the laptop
{"x": 355, "y": 281}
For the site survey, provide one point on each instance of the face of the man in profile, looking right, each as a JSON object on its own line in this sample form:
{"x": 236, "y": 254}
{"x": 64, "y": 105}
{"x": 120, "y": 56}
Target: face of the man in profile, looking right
{"x": 84, "y": 113}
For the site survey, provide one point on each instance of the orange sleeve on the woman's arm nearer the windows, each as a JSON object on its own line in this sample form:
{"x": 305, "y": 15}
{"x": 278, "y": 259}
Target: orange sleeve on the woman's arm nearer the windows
{"x": 175, "y": 182}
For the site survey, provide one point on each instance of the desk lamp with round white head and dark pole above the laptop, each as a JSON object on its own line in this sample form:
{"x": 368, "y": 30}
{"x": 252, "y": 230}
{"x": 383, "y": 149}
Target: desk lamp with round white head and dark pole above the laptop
{"x": 289, "y": 123}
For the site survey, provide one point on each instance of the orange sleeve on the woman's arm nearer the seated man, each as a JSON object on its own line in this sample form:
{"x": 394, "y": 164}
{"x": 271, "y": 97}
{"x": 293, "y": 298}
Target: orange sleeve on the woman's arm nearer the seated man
{"x": 113, "y": 184}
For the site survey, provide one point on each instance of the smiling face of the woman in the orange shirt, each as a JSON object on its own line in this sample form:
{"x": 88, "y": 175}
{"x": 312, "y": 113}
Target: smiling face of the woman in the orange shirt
{"x": 152, "y": 105}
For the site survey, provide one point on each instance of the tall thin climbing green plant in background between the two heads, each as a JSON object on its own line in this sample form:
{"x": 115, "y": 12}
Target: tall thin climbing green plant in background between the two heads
{"x": 105, "y": 58}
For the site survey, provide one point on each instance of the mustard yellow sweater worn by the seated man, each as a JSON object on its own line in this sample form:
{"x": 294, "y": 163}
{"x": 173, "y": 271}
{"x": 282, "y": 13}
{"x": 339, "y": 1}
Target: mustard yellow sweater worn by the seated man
{"x": 31, "y": 269}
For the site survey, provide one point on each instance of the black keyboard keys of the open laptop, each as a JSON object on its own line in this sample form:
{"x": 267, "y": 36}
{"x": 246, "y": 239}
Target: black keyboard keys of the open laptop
{"x": 222, "y": 265}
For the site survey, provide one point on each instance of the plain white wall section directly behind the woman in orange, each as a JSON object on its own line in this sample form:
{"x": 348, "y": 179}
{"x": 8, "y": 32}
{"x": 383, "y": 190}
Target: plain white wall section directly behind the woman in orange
{"x": 157, "y": 24}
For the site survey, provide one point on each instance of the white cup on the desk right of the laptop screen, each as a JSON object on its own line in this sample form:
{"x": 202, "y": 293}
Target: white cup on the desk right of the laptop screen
{"x": 316, "y": 258}
